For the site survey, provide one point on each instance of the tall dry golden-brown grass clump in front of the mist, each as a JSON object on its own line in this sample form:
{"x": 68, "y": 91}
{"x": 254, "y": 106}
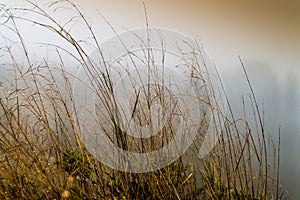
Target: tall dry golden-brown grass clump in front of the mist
{"x": 42, "y": 155}
